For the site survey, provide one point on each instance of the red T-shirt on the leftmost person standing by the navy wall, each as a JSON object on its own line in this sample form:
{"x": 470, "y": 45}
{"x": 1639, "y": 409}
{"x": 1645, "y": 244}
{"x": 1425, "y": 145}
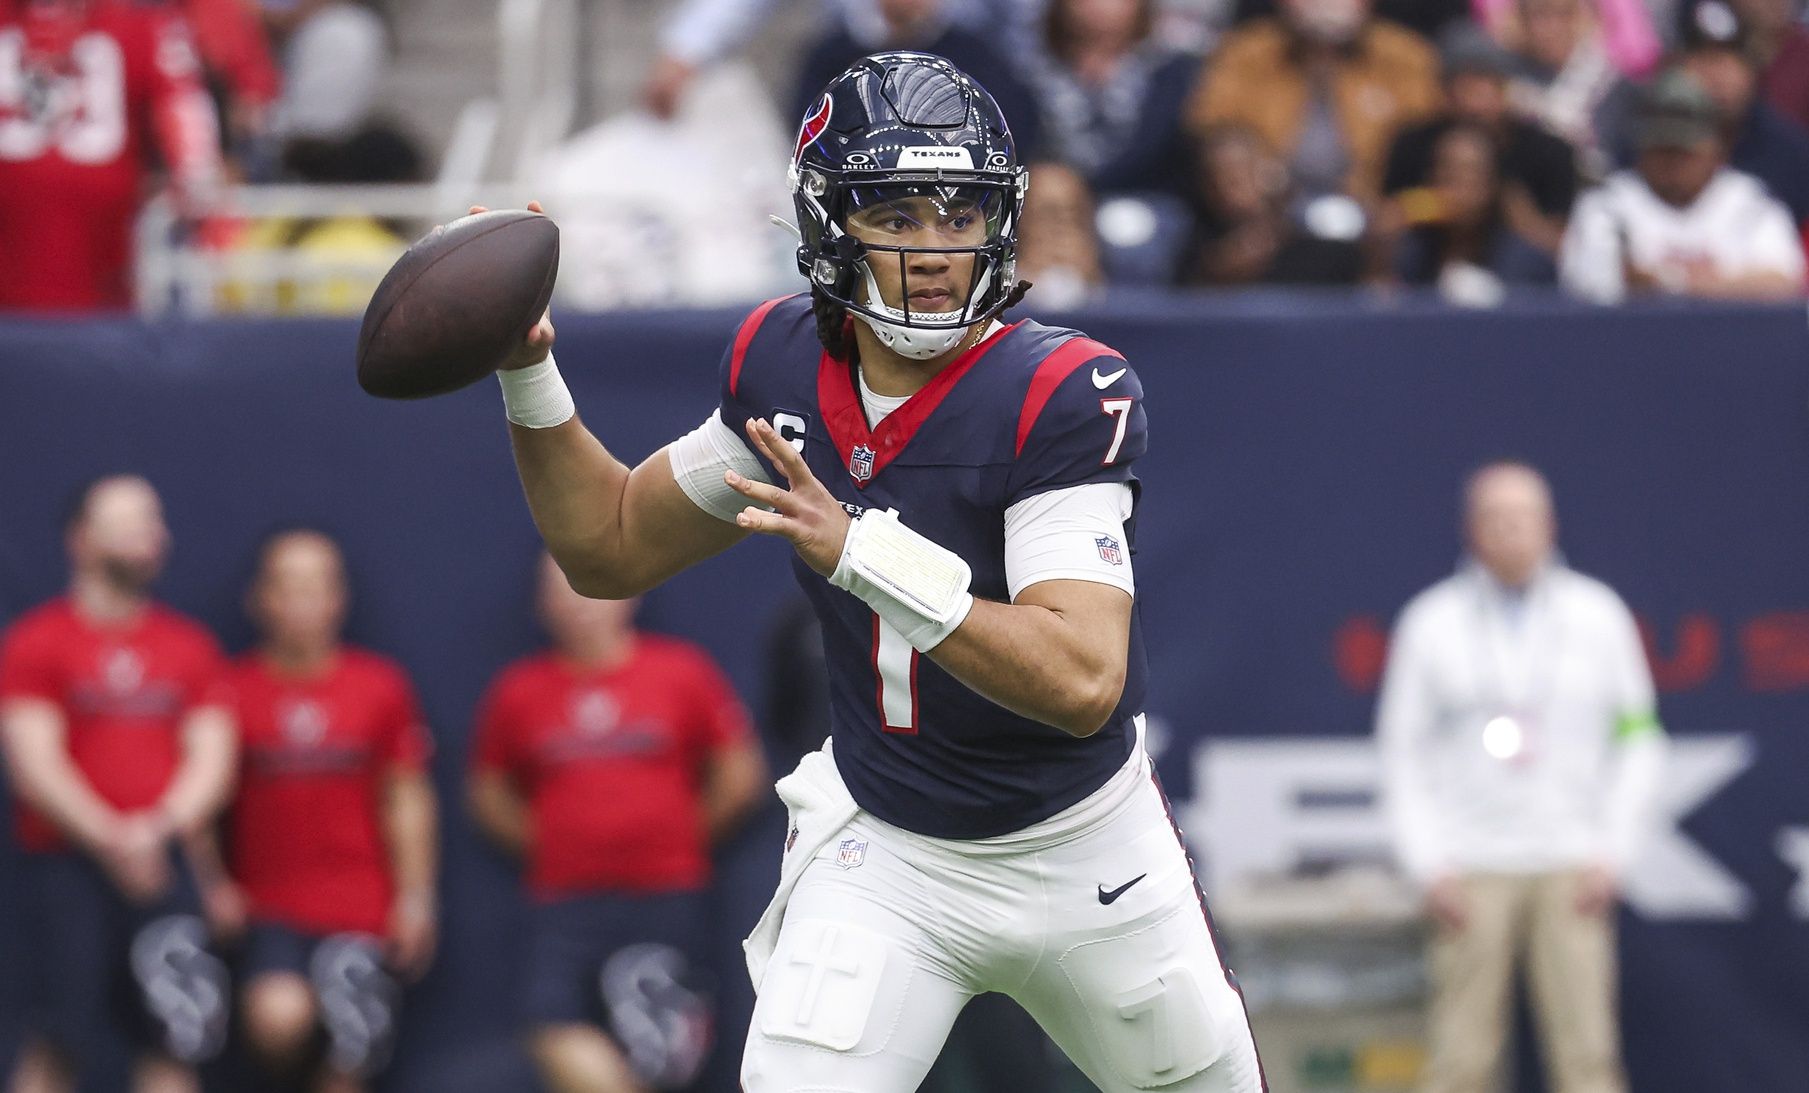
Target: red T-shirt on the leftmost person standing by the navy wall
{"x": 124, "y": 692}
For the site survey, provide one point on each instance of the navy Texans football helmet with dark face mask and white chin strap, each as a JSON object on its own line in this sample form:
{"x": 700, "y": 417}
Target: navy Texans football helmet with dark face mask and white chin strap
{"x": 893, "y": 129}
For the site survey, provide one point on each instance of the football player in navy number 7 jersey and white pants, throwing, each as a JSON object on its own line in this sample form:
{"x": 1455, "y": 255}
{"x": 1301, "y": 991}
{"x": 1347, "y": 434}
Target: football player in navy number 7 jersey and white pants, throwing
{"x": 960, "y": 499}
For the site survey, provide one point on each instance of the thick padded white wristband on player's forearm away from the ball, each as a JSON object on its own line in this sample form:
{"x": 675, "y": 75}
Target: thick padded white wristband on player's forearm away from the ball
{"x": 914, "y": 585}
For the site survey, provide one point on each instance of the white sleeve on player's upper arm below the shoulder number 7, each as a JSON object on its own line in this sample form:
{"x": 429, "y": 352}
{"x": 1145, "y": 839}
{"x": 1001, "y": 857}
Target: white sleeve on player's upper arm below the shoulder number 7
{"x": 1074, "y": 535}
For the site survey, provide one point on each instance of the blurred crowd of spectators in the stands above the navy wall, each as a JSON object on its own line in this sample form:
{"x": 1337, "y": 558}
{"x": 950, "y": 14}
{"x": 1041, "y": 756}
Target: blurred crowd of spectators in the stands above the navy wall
{"x": 1615, "y": 147}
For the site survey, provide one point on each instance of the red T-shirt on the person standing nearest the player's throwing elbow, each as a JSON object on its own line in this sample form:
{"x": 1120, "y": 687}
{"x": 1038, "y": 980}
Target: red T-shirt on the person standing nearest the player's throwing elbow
{"x": 612, "y": 765}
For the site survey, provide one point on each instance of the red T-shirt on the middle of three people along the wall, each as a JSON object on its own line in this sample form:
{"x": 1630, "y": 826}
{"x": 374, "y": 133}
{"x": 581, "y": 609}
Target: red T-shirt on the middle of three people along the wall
{"x": 307, "y": 828}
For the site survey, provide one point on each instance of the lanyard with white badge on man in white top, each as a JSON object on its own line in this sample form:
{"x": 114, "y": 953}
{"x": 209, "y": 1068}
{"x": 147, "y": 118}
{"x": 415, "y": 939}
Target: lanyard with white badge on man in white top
{"x": 1510, "y": 725}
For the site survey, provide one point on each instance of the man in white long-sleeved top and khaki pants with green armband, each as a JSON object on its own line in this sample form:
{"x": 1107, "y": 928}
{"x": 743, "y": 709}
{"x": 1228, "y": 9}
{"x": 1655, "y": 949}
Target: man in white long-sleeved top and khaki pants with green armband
{"x": 1520, "y": 756}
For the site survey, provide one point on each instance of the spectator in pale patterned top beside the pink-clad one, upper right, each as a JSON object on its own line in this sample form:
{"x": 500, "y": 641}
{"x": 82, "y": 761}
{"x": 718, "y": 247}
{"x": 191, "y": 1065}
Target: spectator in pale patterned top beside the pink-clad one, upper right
{"x": 1566, "y": 81}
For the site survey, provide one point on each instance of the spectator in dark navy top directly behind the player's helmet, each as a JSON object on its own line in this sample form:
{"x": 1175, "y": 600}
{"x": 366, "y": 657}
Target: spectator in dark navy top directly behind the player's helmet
{"x": 925, "y": 26}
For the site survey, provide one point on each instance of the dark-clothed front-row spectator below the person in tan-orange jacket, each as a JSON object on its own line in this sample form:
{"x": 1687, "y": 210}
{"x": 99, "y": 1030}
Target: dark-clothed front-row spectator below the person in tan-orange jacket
{"x": 1247, "y": 236}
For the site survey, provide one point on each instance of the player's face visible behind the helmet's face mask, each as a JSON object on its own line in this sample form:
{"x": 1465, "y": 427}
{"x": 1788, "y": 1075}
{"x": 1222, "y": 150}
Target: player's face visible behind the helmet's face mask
{"x": 905, "y": 233}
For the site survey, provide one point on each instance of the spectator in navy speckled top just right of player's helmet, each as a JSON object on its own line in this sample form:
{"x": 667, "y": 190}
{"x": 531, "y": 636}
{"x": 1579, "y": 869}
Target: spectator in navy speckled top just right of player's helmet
{"x": 1113, "y": 97}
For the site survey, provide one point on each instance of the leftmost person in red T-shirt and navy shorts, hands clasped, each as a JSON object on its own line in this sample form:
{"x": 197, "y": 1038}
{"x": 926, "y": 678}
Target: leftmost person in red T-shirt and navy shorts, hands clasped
{"x": 120, "y": 741}
